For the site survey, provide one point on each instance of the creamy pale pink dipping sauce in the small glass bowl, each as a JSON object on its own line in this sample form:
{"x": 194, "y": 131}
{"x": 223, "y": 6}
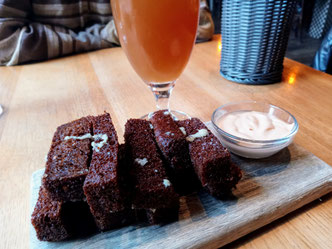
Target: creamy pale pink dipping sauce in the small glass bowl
{"x": 254, "y": 125}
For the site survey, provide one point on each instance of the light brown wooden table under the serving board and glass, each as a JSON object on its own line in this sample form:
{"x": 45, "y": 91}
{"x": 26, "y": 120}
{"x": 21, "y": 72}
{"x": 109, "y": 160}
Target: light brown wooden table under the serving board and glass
{"x": 39, "y": 97}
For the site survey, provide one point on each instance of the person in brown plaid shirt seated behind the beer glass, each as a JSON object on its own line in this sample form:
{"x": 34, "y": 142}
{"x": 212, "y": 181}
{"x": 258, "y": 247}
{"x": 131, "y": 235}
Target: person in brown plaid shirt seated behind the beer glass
{"x": 36, "y": 30}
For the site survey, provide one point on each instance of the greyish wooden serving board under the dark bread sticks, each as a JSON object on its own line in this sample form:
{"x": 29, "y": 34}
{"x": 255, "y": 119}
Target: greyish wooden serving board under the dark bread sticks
{"x": 269, "y": 189}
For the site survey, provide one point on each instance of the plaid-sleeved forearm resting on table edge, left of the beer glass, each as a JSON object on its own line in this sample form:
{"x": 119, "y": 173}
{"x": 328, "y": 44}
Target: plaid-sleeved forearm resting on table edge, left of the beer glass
{"x": 23, "y": 41}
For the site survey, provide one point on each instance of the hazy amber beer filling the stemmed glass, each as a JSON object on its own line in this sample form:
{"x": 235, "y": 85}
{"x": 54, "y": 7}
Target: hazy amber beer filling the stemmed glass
{"x": 157, "y": 35}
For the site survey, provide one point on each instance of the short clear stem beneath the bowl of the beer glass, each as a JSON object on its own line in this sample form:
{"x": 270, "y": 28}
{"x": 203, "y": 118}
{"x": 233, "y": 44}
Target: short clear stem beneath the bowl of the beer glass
{"x": 162, "y": 92}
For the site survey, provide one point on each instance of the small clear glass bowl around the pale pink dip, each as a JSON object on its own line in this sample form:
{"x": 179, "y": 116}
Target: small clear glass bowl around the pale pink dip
{"x": 254, "y": 148}
